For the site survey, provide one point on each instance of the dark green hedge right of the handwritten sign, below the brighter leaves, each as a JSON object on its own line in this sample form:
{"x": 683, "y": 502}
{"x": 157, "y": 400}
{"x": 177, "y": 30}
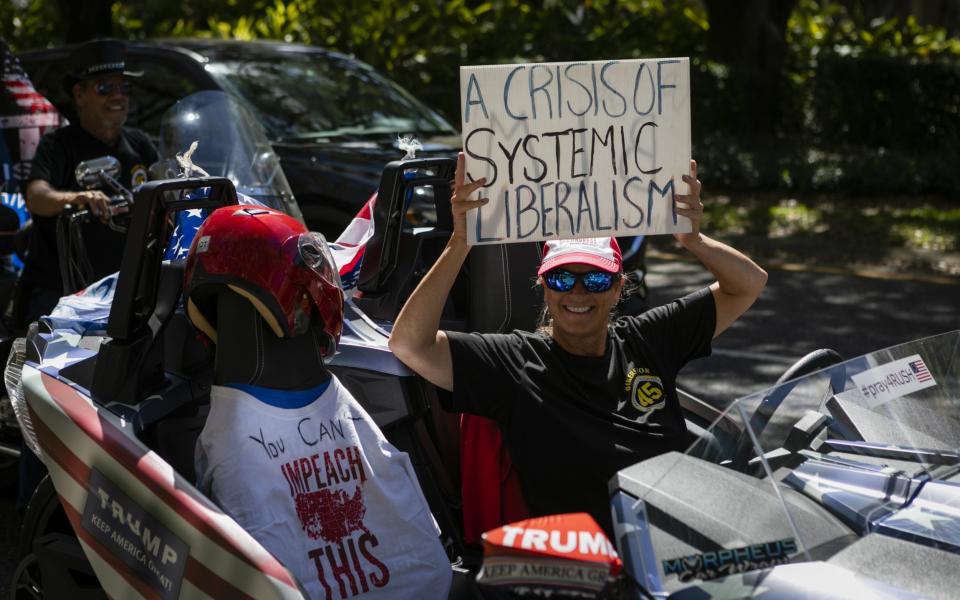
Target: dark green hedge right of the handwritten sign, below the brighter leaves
{"x": 861, "y": 125}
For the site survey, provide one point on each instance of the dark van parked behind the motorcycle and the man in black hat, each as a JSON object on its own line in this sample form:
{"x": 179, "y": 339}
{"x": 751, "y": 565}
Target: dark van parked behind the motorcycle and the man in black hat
{"x": 333, "y": 120}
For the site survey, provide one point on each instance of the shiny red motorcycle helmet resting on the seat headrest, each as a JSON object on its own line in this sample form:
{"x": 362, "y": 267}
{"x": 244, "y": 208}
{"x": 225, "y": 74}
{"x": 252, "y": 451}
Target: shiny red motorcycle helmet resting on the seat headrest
{"x": 269, "y": 258}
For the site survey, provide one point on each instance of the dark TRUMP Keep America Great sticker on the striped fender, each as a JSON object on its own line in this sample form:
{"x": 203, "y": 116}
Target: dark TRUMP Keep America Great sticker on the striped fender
{"x": 126, "y": 530}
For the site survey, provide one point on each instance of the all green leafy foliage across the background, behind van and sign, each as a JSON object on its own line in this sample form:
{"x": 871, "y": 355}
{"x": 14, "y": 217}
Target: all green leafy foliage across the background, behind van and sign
{"x": 867, "y": 104}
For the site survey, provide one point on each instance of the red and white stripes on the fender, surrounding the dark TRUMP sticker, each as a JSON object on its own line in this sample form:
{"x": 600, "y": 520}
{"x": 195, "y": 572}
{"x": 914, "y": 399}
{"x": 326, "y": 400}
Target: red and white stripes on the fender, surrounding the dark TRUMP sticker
{"x": 76, "y": 436}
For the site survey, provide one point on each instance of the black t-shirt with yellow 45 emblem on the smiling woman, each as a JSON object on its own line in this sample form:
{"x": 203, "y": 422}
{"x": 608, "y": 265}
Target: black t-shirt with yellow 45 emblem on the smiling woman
{"x": 571, "y": 422}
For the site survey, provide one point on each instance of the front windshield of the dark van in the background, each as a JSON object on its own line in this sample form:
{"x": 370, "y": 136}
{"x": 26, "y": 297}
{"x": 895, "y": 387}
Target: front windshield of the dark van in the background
{"x": 319, "y": 95}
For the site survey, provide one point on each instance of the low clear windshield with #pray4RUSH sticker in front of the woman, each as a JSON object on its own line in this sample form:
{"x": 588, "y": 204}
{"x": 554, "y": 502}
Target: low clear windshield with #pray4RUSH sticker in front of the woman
{"x": 802, "y": 470}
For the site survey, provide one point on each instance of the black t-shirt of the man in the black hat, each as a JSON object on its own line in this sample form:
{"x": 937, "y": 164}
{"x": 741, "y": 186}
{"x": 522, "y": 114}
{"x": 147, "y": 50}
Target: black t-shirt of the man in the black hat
{"x": 57, "y": 156}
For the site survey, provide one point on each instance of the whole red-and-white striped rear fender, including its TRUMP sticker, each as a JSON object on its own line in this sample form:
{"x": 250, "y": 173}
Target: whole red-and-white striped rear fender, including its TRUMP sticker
{"x": 80, "y": 439}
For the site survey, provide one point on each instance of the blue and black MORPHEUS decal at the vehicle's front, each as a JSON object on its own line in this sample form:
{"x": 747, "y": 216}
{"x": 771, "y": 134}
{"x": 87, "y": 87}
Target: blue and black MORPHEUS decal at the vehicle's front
{"x": 721, "y": 563}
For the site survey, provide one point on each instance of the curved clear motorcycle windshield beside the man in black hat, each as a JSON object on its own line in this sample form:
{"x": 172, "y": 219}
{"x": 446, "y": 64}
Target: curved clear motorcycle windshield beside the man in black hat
{"x": 230, "y": 143}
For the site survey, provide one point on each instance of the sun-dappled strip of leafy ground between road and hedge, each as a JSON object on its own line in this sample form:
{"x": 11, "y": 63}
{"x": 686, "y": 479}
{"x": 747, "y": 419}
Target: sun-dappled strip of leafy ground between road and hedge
{"x": 895, "y": 237}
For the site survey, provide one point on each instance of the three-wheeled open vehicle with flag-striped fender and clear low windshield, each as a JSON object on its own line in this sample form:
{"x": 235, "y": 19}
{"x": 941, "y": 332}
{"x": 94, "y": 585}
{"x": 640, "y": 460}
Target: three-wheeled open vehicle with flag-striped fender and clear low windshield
{"x": 838, "y": 482}
